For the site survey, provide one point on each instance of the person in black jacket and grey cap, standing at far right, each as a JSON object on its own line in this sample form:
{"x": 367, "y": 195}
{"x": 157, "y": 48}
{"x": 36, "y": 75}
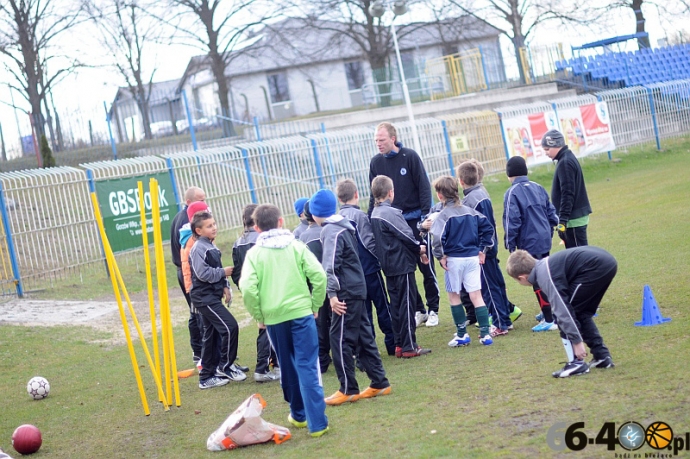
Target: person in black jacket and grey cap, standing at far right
{"x": 568, "y": 192}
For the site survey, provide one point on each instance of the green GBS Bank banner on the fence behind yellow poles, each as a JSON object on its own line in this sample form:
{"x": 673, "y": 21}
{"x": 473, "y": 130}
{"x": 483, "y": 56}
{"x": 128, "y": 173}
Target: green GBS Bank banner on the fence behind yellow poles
{"x": 119, "y": 202}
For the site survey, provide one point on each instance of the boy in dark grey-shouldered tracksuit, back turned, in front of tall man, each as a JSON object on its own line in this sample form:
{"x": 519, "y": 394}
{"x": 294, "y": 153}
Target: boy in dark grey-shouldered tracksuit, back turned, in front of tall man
{"x": 397, "y": 250}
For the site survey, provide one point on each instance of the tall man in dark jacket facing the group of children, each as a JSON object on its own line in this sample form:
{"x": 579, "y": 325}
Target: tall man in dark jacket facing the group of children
{"x": 413, "y": 198}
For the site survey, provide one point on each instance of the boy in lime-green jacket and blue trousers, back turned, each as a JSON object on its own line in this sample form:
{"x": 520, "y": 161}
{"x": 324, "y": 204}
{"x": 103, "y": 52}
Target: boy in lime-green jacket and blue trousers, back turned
{"x": 275, "y": 292}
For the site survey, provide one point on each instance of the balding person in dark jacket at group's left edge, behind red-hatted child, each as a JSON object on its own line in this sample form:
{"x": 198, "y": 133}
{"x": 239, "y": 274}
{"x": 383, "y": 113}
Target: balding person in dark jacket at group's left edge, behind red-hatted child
{"x": 196, "y": 328}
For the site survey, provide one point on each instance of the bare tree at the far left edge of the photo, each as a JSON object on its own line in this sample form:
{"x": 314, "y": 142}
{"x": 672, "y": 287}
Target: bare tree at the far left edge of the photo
{"x": 29, "y": 31}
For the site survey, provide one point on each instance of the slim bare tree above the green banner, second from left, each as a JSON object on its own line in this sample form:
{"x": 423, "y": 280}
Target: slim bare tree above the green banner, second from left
{"x": 125, "y": 31}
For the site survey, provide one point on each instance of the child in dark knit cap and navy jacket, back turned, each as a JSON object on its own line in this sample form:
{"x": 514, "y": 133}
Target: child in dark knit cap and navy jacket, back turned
{"x": 528, "y": 222}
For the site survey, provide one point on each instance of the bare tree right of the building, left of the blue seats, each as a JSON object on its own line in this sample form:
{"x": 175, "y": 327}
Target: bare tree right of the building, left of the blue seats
{"x": 518, "y": 19}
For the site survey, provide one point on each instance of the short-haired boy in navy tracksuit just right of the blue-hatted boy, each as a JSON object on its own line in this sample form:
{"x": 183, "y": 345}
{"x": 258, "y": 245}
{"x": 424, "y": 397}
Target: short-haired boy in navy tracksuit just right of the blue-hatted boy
{"x": 348, "y": 196}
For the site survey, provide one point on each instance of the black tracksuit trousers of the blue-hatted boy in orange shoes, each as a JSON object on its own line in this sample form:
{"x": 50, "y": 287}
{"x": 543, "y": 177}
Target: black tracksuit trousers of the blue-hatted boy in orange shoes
{"x": 351, "y": 331}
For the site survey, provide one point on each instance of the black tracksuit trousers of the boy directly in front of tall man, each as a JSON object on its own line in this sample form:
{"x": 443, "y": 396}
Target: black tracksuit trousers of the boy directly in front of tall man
{"x": 402, "y": 290}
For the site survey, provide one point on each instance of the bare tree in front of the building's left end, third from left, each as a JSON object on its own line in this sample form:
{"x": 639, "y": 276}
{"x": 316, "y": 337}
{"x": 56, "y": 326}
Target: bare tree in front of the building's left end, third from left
{"x": 220, "y": 29}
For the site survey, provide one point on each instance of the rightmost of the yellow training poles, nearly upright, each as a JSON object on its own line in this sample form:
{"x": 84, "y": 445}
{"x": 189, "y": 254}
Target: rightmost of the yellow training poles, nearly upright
{"x": 163, "y": 291}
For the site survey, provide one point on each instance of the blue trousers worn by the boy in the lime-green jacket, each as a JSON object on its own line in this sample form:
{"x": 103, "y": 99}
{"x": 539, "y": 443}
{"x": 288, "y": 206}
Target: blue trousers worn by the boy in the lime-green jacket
{"x": 297, "y": 344}
